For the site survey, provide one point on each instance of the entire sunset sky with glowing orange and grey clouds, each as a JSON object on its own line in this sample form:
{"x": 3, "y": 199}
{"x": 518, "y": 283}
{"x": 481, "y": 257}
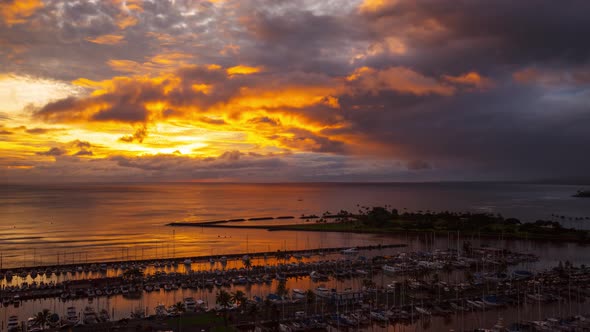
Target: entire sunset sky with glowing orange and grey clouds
{"x": 293, "y": 90}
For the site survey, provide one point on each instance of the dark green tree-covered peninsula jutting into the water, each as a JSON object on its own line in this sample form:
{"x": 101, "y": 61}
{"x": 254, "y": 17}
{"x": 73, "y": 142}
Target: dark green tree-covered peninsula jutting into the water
{"x": 384, "y": 219}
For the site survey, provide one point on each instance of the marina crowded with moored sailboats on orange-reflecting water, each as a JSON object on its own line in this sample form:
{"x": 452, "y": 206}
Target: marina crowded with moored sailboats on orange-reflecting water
{"x": 322, "y": 288}
